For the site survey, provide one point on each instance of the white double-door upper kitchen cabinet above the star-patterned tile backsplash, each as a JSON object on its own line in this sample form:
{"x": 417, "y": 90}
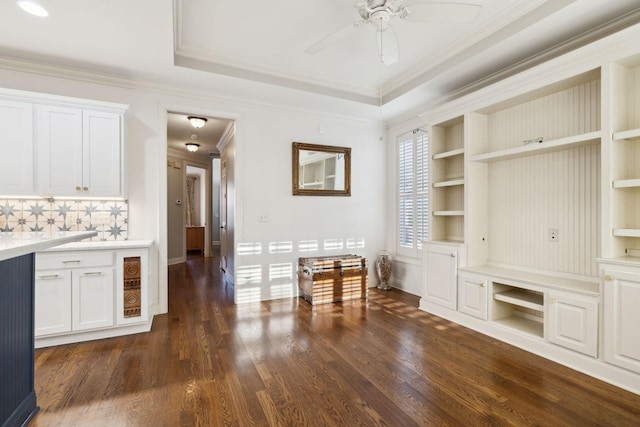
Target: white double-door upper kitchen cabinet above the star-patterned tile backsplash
{"x": 79, "y": 152}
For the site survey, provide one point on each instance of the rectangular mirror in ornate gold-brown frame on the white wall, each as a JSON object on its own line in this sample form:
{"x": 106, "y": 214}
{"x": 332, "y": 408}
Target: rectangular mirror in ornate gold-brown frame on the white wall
{"x": 321, "y": 170}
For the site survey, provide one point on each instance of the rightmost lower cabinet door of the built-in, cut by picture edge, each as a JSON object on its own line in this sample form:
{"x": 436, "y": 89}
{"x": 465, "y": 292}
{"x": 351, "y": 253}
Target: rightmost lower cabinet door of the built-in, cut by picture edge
{"x": 621, "y": 319}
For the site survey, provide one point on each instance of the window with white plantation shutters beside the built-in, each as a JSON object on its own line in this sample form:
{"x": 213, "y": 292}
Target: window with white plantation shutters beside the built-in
{"x": 413, "y": 192}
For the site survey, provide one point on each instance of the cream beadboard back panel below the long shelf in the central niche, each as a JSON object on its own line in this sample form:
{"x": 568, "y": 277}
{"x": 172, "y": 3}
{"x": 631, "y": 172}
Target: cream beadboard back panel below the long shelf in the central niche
{"x": 532, "y": 195}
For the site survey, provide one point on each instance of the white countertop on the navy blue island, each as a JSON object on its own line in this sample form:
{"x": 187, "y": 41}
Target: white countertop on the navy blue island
{"x": 17, "y": 244}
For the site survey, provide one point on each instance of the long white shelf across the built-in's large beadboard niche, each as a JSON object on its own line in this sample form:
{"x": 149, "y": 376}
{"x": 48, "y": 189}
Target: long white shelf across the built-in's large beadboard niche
{"x": 583, "y": 140}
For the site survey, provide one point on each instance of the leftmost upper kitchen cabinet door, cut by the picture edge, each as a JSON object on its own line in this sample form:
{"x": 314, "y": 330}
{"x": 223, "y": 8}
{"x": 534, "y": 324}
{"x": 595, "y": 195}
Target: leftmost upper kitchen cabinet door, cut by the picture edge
{"x": 16, "y": 144}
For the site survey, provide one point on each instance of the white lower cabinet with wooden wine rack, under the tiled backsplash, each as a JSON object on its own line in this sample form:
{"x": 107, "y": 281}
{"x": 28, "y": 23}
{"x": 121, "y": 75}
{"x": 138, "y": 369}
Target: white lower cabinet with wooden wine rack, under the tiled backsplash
{"x": 82, "y": 295}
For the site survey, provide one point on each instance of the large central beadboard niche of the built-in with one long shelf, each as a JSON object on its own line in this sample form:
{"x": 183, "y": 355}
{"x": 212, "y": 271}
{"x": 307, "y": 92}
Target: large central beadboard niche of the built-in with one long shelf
{"x": 534, "y": 166}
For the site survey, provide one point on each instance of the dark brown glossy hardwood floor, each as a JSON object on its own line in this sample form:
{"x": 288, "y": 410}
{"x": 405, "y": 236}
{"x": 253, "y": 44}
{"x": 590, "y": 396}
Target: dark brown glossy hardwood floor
{"x": 380, "y": 362}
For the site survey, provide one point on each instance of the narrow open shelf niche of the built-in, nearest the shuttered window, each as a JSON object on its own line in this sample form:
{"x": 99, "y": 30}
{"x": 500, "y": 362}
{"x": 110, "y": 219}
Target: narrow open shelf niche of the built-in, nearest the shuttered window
{"x": 447, "y": 176}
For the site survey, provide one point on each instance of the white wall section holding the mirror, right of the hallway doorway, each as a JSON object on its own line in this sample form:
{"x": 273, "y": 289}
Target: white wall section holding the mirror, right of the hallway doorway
{"x": 267, "y": 254}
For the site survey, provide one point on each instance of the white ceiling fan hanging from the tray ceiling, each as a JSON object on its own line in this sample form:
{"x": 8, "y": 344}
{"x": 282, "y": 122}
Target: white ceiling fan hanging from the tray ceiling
{"x": 380, "y": 12}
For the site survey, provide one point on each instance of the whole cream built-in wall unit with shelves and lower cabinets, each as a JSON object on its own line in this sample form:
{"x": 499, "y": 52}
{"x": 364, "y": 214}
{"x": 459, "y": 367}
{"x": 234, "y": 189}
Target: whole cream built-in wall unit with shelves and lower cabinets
{"x": 537, "y": 180}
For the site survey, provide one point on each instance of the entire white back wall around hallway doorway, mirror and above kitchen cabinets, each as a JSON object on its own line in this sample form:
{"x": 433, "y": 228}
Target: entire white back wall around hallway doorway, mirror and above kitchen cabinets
{"x": 262, "y": 179}
